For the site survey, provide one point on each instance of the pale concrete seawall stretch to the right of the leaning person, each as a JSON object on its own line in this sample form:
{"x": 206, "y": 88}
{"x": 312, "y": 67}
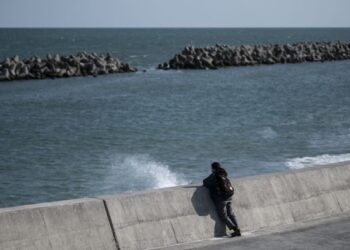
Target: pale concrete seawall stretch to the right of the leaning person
{"x": 285, "y": 198}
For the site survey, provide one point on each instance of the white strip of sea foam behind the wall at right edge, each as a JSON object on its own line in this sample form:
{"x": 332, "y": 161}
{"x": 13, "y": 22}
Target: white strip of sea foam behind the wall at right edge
{"x": 302, "y": 162}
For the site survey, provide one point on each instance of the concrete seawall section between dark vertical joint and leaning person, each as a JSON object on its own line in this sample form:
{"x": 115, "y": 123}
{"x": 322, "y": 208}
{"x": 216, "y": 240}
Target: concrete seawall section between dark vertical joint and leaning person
{"x": 163, "y": 217}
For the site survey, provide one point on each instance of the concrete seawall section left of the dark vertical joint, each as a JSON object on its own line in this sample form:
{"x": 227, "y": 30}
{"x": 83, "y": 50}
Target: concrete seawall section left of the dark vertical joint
{"x": 73, "y": 224}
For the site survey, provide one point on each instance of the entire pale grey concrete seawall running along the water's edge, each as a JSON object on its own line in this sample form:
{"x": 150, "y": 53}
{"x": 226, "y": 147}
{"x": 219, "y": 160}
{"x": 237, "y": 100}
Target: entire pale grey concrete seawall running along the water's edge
{"x": 176, "y": 215}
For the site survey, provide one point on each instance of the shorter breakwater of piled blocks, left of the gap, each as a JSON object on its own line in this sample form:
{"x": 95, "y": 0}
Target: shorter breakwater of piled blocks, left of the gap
{"x": 83, "y": 64}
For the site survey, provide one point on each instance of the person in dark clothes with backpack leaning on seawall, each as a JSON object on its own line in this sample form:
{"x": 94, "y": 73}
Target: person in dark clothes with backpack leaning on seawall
{"x": 223, "y": 203}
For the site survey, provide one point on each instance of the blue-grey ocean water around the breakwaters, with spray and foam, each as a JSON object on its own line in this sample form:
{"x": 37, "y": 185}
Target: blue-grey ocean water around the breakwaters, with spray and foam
{"x": 86, "y": 137}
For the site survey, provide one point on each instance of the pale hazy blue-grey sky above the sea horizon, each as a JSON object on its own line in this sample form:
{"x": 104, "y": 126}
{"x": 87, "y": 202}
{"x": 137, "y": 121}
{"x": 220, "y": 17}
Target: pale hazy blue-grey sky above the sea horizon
{"x": 174, "y": 13}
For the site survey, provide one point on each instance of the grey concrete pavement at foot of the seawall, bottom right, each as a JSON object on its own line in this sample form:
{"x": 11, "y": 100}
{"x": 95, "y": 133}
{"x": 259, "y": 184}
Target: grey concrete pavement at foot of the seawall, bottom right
{"x": 329, "y": 233}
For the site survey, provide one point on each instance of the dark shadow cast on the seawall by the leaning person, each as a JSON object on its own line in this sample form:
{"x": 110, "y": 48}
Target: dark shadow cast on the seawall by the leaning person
{"x": 204, "y": 206}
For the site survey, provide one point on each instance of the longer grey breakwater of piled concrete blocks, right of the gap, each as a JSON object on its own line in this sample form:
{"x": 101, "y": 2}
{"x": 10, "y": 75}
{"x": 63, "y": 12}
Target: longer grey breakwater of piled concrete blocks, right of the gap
{"x": 223, "y": 55}
